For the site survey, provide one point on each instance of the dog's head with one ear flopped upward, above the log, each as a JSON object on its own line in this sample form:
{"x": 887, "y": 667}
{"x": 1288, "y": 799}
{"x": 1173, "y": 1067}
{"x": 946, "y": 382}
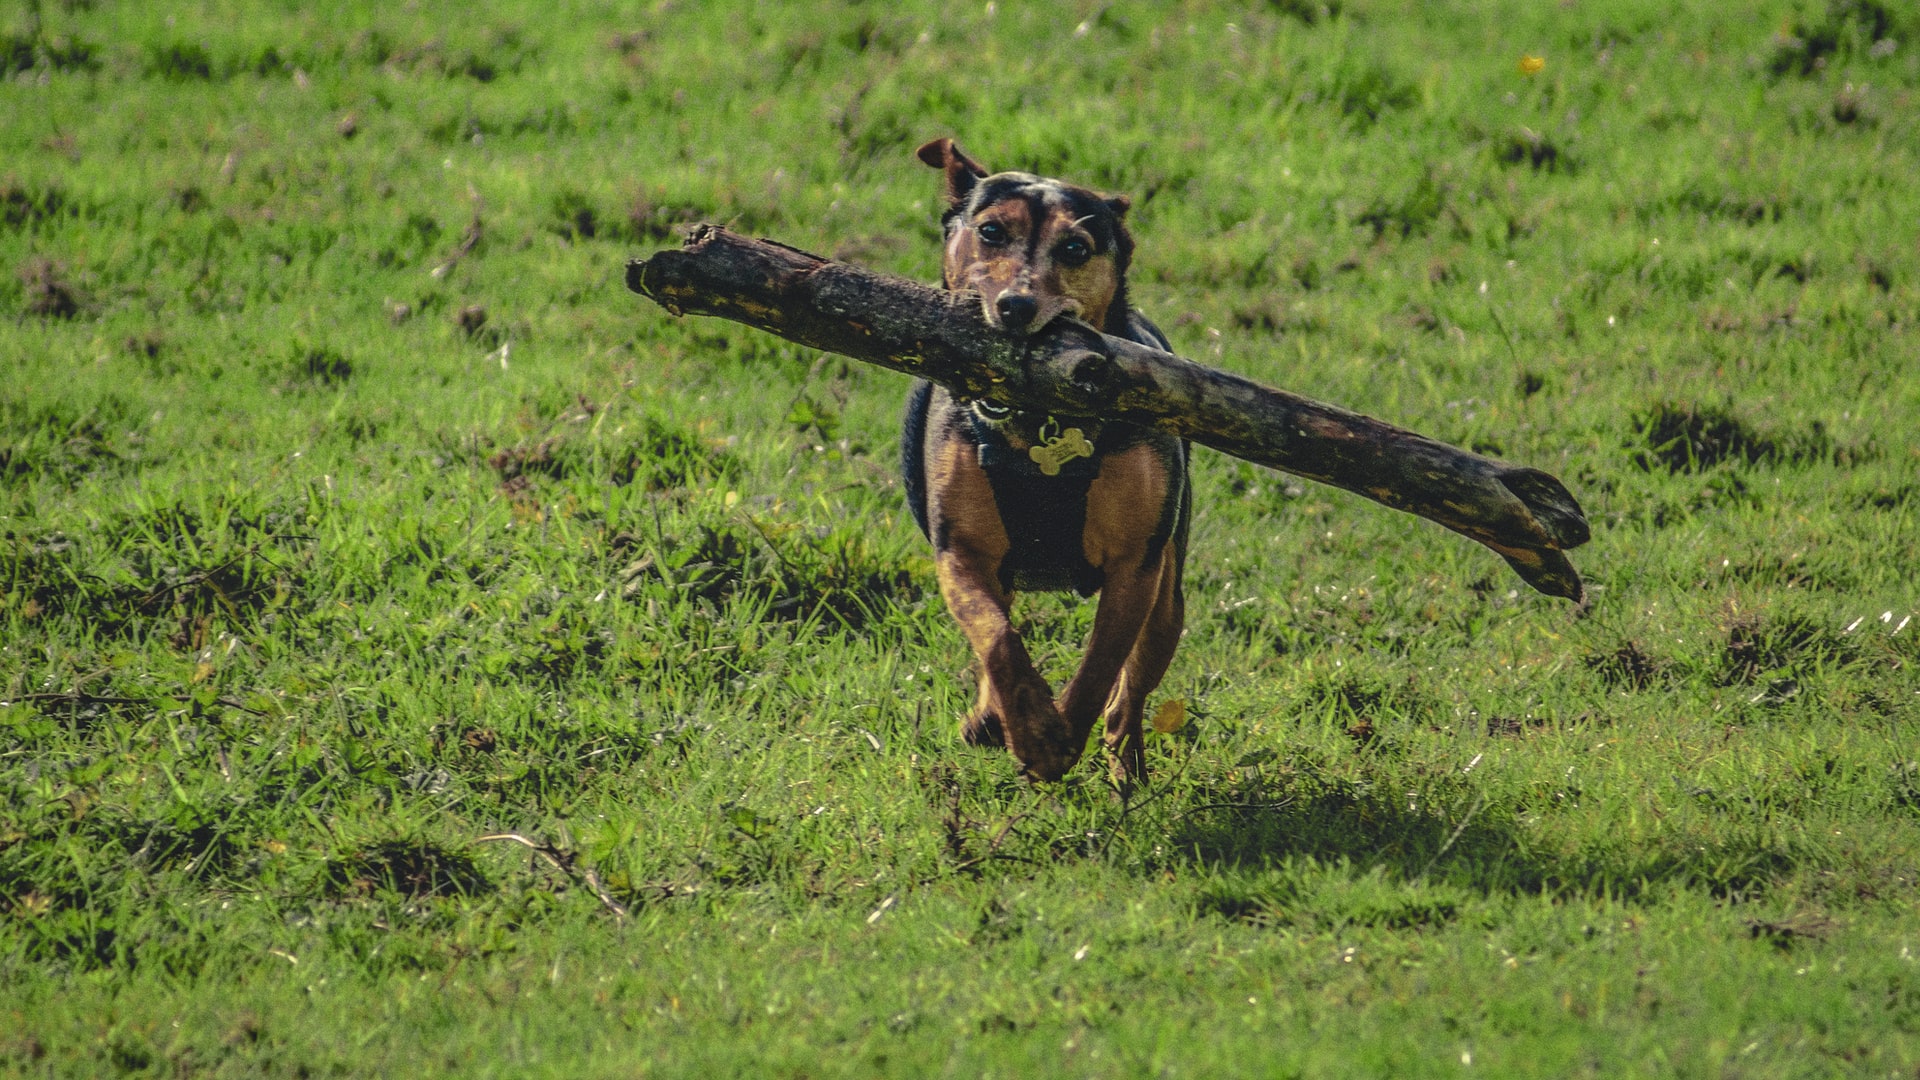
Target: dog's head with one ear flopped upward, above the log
{"x": 1034, "y": 249}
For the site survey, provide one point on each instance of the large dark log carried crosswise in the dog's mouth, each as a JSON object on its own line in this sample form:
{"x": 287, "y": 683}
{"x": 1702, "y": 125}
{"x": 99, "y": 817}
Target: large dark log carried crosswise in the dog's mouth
{"x": 1525, "y": 516}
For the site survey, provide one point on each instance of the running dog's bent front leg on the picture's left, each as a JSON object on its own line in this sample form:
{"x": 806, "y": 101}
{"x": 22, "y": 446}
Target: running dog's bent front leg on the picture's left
{"x": 1015, "y": 702}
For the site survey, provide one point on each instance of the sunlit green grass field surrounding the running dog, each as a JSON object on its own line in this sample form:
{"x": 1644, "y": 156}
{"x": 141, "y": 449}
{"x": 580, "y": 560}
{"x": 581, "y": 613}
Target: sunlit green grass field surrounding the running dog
{"x": 354, "y": 516}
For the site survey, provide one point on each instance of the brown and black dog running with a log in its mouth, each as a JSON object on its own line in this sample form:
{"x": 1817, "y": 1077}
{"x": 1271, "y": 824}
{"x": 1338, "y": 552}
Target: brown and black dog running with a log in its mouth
{"x": 1019, "y": 501}
